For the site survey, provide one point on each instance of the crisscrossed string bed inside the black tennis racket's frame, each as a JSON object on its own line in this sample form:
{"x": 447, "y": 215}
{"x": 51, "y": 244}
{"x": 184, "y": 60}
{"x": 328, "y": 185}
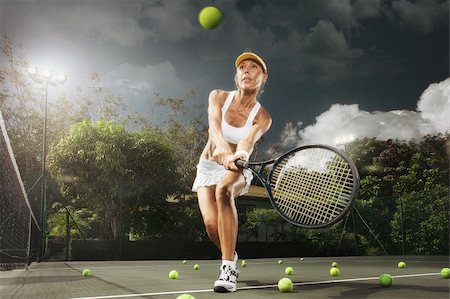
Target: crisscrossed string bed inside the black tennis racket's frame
{"x": 312, "y": 186}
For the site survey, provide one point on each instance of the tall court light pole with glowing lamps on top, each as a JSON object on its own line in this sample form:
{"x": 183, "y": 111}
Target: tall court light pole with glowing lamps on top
{"x": 46, "y": 77}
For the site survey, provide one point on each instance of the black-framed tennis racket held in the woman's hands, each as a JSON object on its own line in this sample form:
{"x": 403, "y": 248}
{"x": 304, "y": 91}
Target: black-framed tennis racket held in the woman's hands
{"x": 311, "y": 186}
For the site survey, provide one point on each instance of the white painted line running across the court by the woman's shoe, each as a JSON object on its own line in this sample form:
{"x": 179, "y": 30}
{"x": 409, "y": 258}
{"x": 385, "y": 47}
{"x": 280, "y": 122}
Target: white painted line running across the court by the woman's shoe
{"x": 253, "y": 287}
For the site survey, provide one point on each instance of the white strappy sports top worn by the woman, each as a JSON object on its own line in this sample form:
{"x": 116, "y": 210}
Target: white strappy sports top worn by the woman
{"x": 233, "y": 134}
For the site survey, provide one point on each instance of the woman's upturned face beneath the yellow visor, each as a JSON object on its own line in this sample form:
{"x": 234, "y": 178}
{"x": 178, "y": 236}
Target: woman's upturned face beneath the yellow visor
{"x": 250, "y": 75}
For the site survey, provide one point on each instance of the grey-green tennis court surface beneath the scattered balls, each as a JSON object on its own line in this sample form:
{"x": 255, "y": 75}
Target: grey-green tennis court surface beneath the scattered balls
{"x": 149, "y": 279}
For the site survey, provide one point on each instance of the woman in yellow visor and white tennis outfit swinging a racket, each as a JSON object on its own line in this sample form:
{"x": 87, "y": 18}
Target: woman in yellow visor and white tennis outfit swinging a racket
{"x": 236, "y": 122}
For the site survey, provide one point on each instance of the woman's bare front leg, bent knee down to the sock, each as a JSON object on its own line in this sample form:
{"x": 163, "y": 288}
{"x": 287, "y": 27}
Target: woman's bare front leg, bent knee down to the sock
{"x": 226, "y": 191}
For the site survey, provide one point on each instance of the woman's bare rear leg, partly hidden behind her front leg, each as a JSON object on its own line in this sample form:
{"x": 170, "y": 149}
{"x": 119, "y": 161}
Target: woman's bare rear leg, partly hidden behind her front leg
{"x": 208, "y": 208}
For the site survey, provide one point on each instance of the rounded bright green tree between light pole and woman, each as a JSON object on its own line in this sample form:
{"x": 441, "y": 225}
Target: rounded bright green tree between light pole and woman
{"x": 102, "y": 166}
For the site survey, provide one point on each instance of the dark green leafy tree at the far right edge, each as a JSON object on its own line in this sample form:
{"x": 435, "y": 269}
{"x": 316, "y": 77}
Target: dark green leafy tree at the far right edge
{"x": 421, "y": 219}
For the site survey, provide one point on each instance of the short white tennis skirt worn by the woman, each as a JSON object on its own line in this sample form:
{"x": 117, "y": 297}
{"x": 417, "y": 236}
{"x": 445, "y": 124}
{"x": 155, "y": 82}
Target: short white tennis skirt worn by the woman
{"x": 210, "y": 173}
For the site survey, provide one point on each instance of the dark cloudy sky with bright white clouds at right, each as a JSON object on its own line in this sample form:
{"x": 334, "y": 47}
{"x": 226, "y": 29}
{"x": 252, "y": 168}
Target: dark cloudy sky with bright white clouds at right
{"x": 337, "y": 68}
